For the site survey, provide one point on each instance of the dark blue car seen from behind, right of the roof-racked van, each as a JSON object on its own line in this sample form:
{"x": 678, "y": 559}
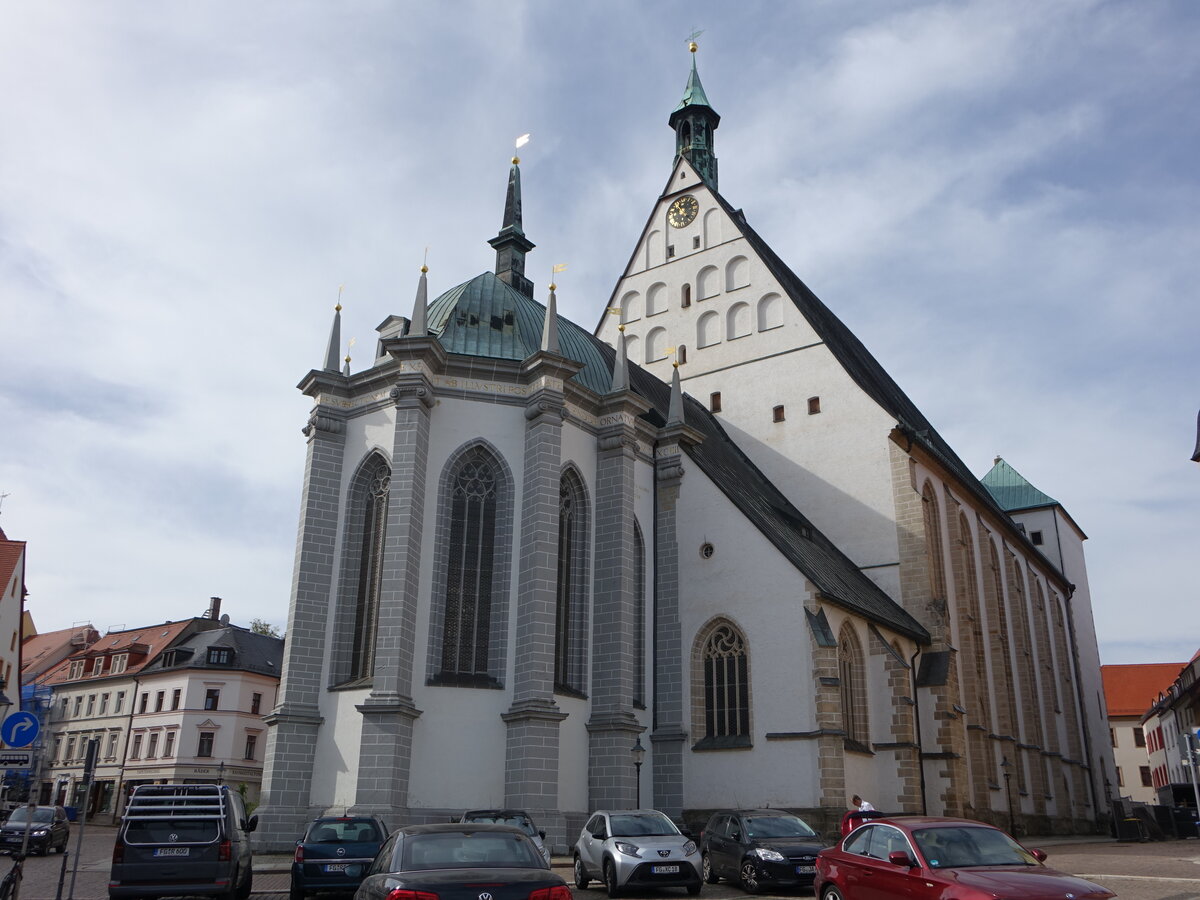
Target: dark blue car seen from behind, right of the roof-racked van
{"x": 335, "y": 853}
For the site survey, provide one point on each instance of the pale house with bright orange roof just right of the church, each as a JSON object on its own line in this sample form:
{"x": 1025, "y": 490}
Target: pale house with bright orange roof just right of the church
{"x": 1131, "y": 691}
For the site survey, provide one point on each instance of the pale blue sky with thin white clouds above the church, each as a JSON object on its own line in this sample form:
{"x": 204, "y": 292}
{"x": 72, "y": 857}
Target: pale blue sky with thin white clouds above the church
{"x": 998, "y": 196}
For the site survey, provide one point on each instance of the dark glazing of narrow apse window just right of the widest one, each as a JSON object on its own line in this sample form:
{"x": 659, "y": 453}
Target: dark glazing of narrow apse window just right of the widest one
{"x": 571, "y": 615}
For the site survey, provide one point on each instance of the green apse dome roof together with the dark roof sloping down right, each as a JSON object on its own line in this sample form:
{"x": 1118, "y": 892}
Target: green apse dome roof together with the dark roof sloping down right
{"x": 471, "y": 320}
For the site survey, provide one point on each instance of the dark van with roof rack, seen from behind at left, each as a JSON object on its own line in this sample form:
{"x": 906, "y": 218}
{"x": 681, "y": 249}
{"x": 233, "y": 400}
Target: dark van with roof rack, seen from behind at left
{"x": 183, "y": 839}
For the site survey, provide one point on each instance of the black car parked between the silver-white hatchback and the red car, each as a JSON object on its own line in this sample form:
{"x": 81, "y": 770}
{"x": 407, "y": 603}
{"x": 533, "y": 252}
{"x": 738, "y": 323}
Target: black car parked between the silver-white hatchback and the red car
{"x": 760, "y": 848}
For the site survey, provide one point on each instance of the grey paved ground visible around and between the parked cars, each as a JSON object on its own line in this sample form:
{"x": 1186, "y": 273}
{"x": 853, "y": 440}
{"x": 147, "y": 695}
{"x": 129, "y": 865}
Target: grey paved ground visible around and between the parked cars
{"x": 1136, "y": 872}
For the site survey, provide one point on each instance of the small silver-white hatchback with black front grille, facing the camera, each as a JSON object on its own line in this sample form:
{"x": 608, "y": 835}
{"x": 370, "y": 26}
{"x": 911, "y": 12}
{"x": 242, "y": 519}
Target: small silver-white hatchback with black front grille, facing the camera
{"x": 637, "y": 849}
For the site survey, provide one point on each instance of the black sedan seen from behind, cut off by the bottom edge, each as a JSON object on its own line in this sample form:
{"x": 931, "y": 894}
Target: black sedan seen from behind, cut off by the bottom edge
{"x": 461, "y": 862}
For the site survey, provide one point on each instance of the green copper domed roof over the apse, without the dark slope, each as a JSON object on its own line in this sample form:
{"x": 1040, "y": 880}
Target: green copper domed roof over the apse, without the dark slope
{"x": 485, "y": 317}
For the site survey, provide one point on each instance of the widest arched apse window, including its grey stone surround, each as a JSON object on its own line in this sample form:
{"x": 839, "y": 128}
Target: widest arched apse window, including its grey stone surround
{"x": 469, "y": 621}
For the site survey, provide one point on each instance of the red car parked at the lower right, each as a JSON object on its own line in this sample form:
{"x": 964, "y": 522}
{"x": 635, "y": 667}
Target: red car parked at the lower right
{"x": 927, "y": 859}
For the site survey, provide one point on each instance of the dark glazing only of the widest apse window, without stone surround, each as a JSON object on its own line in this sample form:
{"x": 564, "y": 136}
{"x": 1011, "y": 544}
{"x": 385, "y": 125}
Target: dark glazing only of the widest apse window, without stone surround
{"x": 469, "y": 608}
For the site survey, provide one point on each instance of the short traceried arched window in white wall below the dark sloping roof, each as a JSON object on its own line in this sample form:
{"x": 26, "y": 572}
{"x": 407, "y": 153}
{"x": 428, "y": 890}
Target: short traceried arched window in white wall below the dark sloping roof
{"x": 723, "y": 681}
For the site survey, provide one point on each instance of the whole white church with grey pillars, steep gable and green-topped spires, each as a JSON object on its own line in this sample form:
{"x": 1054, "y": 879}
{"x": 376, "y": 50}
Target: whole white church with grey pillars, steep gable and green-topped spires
{"x": 706, "y": 555}
